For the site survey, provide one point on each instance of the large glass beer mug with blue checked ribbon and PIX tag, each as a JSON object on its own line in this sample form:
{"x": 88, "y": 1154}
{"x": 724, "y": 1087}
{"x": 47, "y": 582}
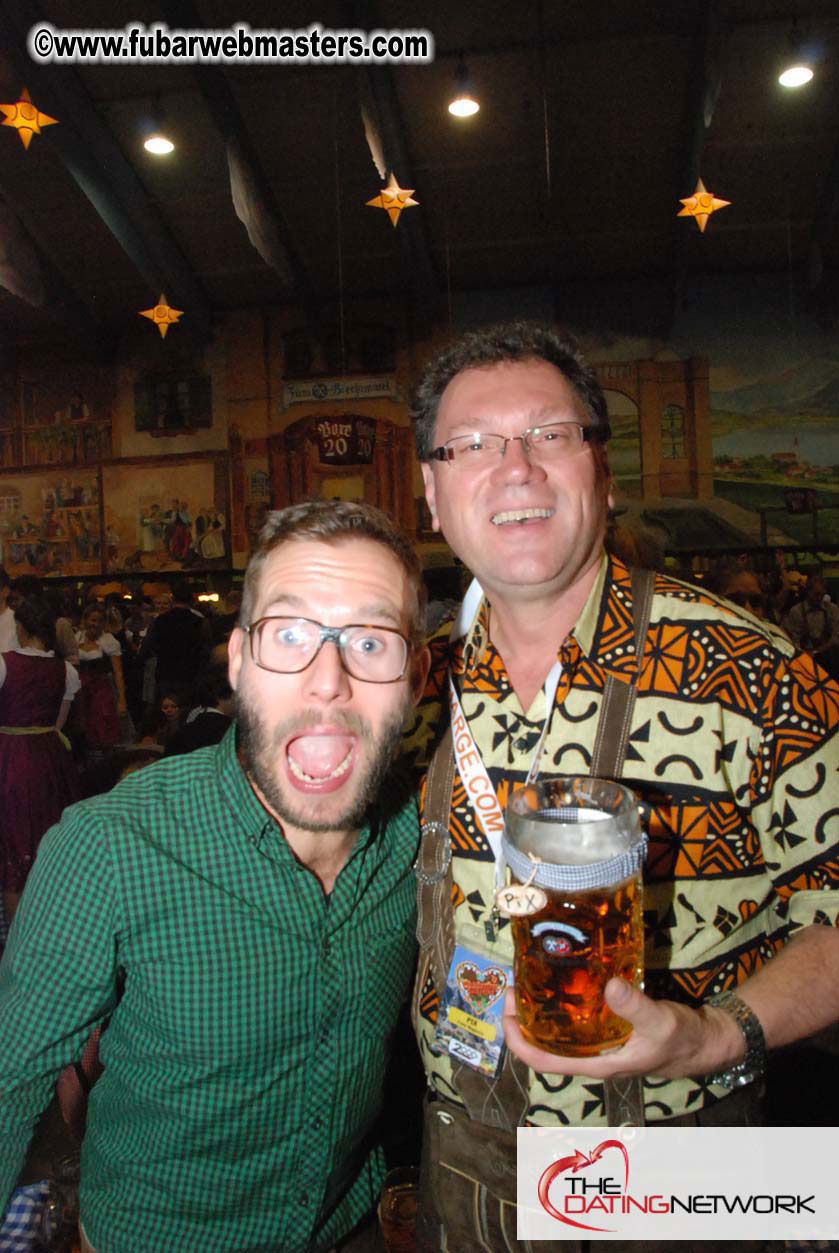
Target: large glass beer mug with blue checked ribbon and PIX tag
{"x": 575, "y": 850}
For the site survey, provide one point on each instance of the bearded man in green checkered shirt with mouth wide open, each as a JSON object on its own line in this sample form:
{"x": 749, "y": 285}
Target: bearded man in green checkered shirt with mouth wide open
{"x": 245, "y": 917}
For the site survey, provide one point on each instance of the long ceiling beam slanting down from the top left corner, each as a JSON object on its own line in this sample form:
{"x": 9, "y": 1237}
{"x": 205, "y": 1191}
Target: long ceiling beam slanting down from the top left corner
{"x": 97, "y": 164}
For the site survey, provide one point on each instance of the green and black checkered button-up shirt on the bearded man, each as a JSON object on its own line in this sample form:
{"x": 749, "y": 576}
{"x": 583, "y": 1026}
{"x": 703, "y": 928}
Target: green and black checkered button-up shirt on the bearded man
{"x": 246, "y": 1058}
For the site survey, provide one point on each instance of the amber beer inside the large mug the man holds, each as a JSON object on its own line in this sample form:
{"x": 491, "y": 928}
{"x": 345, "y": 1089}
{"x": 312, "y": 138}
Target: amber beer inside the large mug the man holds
{"x": 565, "y": 957}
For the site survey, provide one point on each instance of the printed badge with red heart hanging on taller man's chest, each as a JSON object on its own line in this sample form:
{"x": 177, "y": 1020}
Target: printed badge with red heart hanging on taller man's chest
{"x": 469, "y": 1024}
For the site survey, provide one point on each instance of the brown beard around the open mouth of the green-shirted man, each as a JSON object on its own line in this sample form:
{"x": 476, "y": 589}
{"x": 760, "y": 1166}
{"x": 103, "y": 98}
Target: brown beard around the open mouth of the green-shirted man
{"x": 260, "y": 749}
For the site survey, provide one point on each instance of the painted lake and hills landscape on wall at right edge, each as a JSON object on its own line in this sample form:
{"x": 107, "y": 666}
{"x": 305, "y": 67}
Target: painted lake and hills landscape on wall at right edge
{"x": 775, "y": 404}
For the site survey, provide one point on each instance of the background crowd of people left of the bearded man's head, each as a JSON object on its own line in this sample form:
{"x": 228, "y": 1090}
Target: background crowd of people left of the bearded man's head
{"x": 91, "y": 692}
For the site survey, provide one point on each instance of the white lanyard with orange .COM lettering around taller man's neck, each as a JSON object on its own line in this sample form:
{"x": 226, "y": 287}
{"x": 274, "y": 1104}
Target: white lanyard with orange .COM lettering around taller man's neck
{"x": 470, "y": 764}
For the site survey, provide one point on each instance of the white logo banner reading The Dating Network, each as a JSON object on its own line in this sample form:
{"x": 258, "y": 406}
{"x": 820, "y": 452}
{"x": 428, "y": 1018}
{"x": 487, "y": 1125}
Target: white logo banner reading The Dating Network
{"x": 678, "y": 1183}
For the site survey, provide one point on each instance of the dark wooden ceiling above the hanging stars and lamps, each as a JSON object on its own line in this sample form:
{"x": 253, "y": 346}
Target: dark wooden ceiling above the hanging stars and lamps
{"x": 597, "y": 118}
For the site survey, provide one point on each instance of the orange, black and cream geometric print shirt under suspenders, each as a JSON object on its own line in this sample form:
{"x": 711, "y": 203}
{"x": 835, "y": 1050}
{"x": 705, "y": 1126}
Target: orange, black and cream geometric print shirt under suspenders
{"x": 734, "y": 757}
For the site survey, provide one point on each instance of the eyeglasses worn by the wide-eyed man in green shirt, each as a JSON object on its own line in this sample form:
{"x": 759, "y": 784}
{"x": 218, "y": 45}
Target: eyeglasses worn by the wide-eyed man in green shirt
{"x": 287, "y": 646}
